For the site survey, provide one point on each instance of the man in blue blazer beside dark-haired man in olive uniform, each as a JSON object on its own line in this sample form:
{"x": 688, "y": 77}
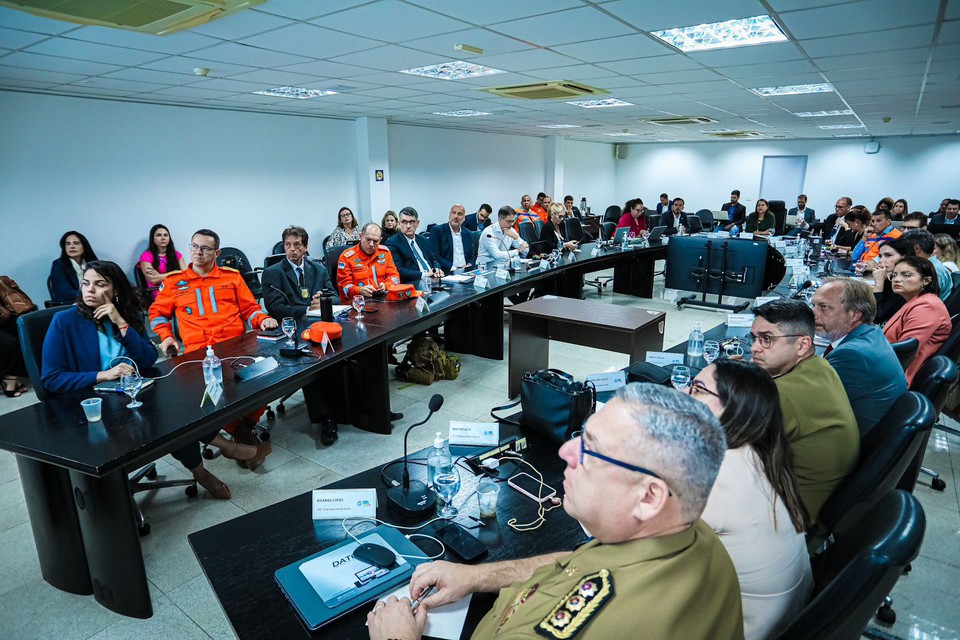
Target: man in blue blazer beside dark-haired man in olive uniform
{"x": 858, "y": 351}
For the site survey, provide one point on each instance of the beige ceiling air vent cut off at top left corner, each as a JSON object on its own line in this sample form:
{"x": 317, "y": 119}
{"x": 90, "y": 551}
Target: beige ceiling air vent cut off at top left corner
{"x": 159, "y": 17}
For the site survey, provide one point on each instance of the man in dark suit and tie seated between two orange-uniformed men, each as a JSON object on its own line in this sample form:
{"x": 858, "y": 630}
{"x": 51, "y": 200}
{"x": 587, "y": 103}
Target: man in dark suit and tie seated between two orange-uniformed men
{"x": 291, "y": 288}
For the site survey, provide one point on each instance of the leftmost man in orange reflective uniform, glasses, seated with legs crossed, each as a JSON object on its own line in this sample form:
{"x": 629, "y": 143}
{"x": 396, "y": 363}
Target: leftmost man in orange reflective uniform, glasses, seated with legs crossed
{"x": 211, "y": 304}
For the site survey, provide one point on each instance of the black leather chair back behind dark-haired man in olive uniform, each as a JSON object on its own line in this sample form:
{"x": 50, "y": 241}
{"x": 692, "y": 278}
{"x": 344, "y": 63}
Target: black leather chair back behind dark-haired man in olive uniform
{"x": 885, "y": 453}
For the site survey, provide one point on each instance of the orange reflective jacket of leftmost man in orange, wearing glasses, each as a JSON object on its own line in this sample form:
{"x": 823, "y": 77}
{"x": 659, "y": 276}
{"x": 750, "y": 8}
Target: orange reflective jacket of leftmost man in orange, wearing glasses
{"x": 209, "y": 309}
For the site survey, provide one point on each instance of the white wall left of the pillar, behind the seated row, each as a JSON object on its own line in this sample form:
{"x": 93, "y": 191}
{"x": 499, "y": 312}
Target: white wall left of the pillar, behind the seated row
{"x": 111, "y": 170}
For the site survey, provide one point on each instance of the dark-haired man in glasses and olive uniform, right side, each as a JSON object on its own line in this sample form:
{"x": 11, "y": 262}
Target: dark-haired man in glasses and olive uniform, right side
{"x": 817, "y": 416}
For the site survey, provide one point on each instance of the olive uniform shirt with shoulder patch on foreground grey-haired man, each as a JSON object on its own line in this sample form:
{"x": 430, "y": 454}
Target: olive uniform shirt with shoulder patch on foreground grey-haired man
{"x": 681, "y": 585}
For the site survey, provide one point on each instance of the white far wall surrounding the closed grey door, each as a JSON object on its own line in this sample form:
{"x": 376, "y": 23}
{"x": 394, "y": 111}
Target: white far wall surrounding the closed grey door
{"x": 922, "y": 170}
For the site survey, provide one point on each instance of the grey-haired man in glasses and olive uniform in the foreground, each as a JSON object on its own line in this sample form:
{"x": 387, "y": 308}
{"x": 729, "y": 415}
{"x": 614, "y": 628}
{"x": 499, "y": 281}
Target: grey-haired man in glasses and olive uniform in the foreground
{"x": 637, "y": 478}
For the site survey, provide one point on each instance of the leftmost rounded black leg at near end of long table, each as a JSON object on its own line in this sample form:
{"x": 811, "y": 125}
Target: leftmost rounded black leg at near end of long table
{"x": 56, "y": 532}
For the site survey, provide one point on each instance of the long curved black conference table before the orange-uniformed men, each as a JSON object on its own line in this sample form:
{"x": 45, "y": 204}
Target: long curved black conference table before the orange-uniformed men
{"x": 74, "y": 473}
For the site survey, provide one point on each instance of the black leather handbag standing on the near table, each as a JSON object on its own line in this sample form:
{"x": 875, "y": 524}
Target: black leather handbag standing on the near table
{"x": 553, "y": 403}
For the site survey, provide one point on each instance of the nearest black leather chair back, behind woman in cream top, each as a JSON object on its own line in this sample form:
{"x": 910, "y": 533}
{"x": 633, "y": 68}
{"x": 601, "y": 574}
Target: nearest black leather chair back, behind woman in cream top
{"x": 855, "y": 573}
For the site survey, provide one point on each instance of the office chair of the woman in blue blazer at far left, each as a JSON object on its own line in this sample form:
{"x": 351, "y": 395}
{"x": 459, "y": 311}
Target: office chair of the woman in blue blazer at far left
{"x": 32, "y": 327}
